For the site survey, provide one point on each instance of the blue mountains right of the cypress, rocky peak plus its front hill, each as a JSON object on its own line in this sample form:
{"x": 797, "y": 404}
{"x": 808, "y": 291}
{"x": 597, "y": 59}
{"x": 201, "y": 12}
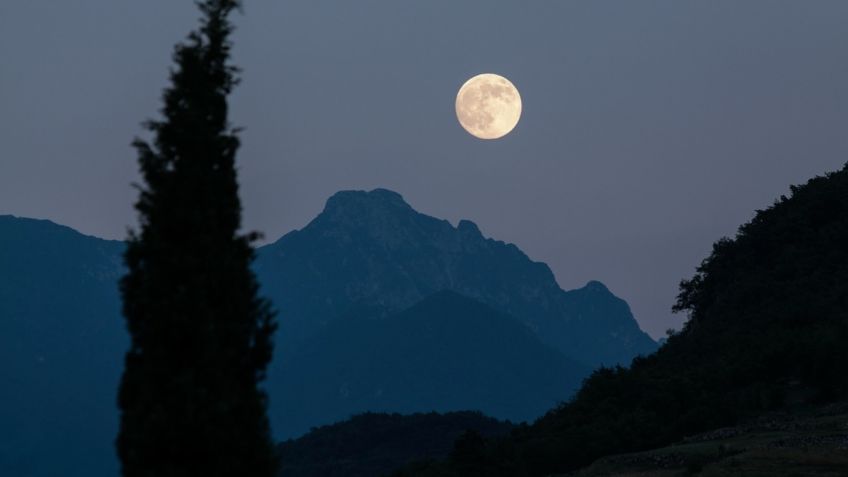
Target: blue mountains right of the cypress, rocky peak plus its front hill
{"x": 371, "y": 255}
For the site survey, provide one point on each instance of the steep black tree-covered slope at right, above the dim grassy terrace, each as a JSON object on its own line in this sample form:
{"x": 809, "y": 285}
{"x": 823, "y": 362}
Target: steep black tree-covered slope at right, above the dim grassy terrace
{"x": 767, "y": 331}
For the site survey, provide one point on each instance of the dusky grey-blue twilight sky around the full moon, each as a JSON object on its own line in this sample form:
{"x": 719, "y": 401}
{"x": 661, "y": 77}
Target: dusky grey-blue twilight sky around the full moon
{"x": 649, "y": 130}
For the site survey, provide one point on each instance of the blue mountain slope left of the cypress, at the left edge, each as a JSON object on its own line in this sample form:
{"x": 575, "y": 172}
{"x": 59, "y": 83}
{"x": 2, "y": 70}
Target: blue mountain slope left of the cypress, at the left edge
{"x": 61, "y": 350}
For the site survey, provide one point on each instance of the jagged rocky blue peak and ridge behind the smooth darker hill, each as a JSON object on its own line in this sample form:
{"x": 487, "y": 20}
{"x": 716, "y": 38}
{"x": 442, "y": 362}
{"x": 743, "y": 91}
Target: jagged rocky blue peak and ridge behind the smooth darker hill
{"x": 371, "y": 249}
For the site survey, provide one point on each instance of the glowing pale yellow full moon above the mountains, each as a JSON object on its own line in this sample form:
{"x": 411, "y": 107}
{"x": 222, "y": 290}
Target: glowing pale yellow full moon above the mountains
{"x": 488, "y": 106}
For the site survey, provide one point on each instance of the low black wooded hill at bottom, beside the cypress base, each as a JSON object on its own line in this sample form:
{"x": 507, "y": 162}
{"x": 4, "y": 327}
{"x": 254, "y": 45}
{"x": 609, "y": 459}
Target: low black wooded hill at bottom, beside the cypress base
{"x": 370, "y": 445}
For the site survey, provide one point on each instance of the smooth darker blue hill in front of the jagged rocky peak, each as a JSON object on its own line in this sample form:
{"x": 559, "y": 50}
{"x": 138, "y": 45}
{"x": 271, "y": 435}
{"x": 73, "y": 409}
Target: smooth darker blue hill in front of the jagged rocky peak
{"x": 447, "y": 352}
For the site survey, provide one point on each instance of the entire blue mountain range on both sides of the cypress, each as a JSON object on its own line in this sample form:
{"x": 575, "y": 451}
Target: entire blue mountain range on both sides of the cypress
{"x": 381, "y": 309}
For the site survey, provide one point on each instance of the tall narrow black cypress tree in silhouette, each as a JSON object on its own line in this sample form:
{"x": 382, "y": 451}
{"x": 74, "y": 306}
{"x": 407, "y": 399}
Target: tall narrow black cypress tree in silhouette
{"x": 201, "y": 337}
